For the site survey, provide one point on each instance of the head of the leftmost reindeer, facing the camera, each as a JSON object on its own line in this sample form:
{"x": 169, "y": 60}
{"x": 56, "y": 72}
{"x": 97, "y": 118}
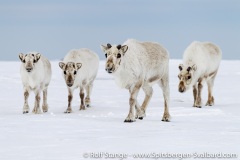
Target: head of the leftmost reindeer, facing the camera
{"x": 29, "y": 60}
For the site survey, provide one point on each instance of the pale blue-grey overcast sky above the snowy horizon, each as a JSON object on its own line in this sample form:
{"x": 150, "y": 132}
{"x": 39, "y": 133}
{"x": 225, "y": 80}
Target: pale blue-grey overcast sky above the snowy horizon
{"x": 55, "y": 27}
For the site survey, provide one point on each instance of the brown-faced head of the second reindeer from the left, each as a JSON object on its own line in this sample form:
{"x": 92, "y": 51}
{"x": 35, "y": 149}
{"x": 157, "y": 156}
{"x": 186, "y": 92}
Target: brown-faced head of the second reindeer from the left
{"x": 70, "y": 71}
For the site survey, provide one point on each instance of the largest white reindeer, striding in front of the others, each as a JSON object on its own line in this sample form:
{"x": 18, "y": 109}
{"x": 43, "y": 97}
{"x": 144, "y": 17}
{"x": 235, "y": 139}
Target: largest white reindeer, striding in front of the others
{"x": 136, "y": 65}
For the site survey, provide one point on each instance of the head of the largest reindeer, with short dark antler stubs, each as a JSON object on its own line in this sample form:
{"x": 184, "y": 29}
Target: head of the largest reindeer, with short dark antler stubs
{"x": 114, "y": 56}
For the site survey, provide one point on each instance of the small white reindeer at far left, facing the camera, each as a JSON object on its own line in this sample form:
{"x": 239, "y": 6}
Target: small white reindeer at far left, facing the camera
{"x": 36, "y": 75}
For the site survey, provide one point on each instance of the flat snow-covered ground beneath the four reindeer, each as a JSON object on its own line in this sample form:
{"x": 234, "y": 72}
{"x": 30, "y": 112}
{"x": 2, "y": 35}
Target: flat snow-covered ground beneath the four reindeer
{"x": 58, "y": 136}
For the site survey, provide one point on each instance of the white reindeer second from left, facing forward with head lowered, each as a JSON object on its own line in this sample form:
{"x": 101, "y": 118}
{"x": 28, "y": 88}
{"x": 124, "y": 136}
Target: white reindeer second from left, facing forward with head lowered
{"x": 80, "y": 69}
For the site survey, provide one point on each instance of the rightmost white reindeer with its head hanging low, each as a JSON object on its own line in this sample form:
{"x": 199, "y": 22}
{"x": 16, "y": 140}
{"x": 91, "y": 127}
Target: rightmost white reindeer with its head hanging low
{"x": 201, "y": 61}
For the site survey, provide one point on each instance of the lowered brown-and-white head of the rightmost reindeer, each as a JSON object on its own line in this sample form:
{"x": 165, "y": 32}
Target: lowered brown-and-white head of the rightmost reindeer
{"x": 185, "y": 77}
